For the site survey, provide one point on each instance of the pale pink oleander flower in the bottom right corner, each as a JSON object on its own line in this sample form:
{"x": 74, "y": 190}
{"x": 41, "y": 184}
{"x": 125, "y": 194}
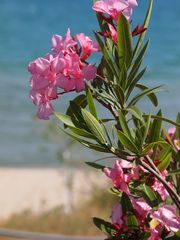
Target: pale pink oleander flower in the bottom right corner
{"x": 166, "y": 215}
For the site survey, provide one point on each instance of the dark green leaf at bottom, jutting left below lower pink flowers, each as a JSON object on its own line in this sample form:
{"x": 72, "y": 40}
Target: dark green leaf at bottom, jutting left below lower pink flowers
{"x": 105, "y": 227}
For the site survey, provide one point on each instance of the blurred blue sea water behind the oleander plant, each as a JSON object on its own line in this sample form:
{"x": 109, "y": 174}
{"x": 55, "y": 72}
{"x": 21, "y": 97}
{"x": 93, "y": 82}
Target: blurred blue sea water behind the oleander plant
{"x": 26, "y": 27}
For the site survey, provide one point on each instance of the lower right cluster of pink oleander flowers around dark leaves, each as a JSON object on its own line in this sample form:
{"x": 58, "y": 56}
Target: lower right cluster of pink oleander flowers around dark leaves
{"x": 123, "y": 174}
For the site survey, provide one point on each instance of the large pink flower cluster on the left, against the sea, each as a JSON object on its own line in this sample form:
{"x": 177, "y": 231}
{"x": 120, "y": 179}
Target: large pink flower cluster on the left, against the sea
{"x": 66, "y": 68}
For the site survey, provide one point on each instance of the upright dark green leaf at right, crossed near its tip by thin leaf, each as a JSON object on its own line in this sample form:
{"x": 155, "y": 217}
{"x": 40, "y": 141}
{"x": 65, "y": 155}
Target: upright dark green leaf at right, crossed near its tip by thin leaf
{"x": 155, "y": 129}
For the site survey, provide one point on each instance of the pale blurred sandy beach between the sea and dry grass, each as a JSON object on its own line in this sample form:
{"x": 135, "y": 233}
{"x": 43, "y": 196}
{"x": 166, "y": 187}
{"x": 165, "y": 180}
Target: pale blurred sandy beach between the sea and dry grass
{"x": 39, "y": 189}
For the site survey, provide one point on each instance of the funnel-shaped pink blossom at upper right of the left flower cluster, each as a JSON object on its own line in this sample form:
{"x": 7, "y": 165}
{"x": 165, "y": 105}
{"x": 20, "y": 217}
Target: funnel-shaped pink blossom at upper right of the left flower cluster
{"x": 87, "y": 45}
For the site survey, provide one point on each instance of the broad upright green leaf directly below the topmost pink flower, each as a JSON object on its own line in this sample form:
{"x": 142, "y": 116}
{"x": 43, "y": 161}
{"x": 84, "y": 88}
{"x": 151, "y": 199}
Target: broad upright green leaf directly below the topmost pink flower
{"x": 124, "y": 43}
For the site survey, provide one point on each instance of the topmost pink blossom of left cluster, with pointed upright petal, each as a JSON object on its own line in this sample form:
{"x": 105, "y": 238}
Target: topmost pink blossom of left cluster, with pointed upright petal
{"x": 61, "y": 44}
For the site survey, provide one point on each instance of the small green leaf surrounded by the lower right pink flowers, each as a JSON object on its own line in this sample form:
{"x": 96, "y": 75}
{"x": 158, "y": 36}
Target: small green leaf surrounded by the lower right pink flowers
{"x": 150, "y": 196}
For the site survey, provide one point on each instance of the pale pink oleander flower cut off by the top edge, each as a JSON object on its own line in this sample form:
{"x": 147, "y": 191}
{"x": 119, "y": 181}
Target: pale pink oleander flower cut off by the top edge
{"x": 114, "y": 8}
